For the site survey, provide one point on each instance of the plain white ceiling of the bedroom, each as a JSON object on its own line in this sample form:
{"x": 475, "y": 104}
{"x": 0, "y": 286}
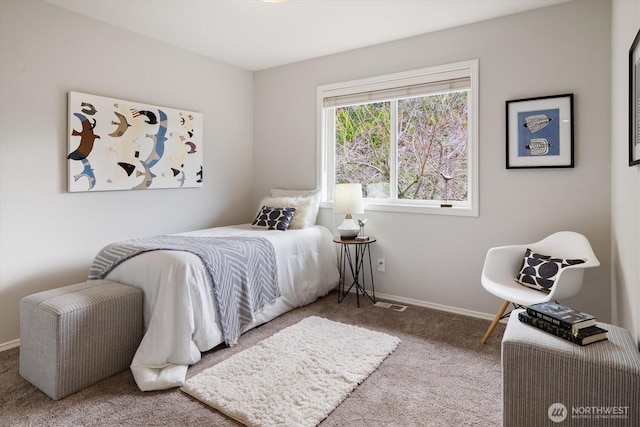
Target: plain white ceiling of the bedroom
{"x": 255, "y": 35}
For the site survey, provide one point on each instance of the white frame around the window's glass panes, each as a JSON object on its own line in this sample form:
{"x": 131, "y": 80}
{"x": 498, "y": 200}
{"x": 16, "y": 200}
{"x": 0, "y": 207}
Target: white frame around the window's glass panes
{"x": 325, "y": 154}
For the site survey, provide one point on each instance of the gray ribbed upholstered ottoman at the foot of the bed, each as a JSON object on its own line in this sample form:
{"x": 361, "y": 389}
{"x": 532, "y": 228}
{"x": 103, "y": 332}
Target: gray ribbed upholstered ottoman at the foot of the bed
{"x": 77, "y": 335}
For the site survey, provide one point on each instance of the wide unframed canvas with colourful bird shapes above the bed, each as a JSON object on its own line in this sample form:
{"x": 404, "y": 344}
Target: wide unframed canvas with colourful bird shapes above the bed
{"x": 125, "y": 145}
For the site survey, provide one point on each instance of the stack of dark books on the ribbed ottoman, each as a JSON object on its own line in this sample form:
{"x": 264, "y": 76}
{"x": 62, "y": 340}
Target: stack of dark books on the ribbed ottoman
{"x": 563, "y": 322}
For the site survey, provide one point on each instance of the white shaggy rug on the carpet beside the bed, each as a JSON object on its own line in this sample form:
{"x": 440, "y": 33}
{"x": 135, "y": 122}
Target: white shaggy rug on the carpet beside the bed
{"x": 295, "y": 377}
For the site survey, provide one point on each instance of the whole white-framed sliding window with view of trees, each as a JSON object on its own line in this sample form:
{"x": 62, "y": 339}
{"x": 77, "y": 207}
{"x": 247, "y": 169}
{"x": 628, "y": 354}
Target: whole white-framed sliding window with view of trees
{"x": 410, "y": 139}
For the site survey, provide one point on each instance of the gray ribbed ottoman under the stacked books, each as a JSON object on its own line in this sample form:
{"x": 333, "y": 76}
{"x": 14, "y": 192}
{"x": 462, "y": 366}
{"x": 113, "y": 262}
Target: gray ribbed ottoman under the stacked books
{"x": 547, "y": 381}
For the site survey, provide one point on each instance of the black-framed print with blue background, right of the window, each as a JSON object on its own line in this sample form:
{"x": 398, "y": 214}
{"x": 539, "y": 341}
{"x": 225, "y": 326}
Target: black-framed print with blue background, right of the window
{"x": 540, "y": 132}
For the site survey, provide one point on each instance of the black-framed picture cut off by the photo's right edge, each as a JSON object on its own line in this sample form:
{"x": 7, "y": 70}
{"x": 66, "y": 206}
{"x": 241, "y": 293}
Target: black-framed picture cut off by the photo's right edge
{"x": 634, "y": 102}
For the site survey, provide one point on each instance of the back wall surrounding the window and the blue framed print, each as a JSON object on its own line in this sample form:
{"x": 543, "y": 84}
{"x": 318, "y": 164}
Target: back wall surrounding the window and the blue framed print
{"x": 438, "y": 259}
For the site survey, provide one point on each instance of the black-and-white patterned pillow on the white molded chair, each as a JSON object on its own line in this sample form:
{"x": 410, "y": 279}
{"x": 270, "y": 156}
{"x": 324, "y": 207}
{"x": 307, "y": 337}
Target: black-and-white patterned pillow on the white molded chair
{"x": 540, "y": 271}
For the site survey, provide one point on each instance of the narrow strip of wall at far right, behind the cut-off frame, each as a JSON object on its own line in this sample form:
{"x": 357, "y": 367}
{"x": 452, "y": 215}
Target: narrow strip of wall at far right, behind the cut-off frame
{"x": 625, "y": 195}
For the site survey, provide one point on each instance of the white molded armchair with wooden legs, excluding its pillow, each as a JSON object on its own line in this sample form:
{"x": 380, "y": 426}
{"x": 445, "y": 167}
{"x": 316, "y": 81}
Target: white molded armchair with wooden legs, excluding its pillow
{"x": 503, "y": 263}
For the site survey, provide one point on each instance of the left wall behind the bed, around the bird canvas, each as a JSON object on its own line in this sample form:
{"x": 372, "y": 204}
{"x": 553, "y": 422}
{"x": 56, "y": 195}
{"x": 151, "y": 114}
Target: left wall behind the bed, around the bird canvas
{"x": 48, "y": 236}
